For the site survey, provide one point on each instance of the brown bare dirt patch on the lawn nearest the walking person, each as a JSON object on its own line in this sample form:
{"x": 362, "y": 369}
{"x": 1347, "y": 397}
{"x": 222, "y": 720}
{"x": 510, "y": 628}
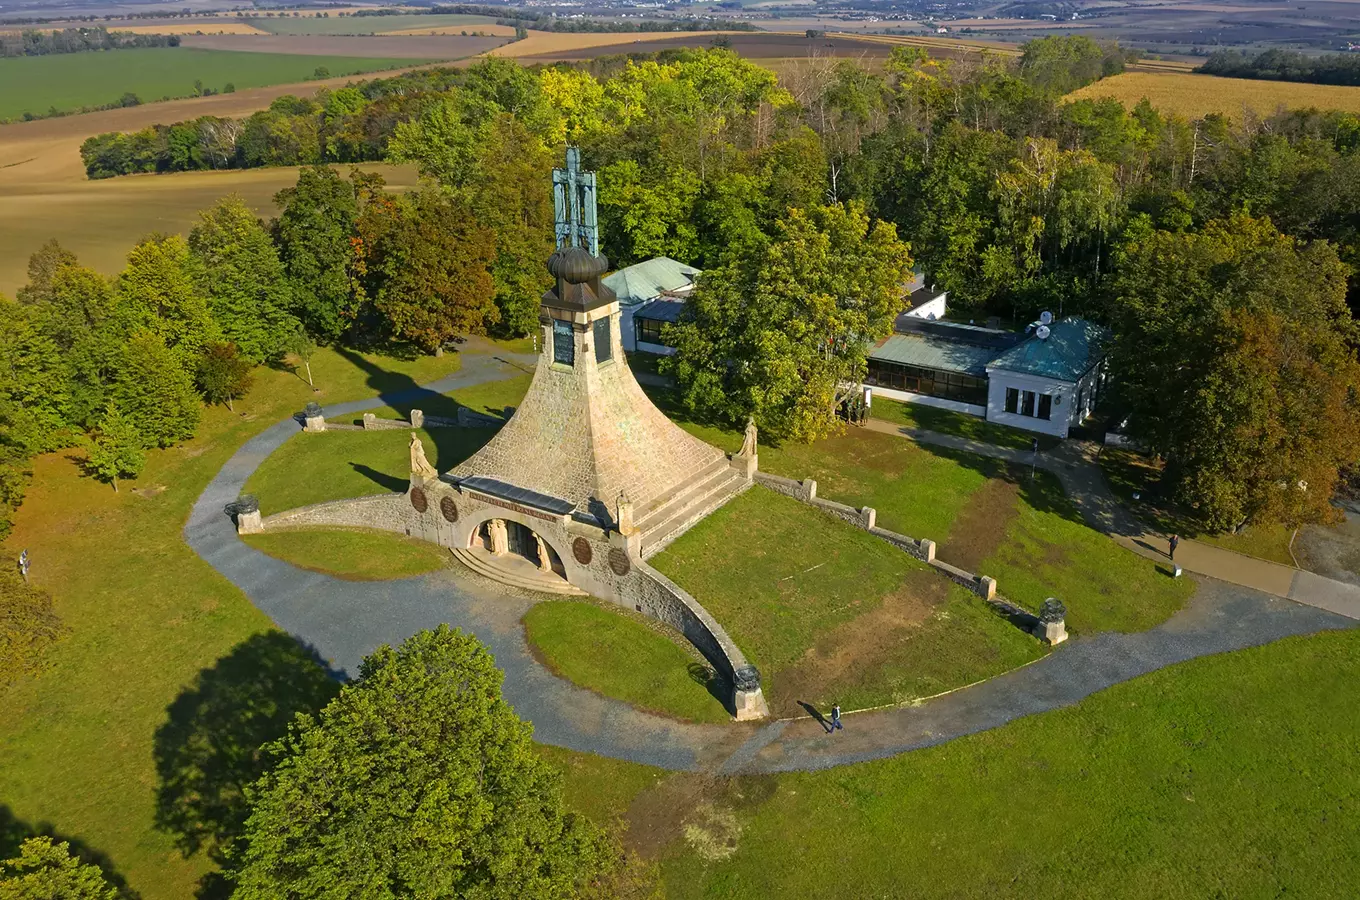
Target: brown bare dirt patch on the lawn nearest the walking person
{"x": 844, "y": 655}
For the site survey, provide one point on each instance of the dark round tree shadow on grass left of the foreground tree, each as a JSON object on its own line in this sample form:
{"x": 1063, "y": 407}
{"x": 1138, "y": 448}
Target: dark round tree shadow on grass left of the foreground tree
{"x": 211, "y": 746}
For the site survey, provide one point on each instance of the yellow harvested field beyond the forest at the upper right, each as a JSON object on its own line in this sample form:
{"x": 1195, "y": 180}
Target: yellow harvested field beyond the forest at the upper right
{"x": 1195, "y": 96}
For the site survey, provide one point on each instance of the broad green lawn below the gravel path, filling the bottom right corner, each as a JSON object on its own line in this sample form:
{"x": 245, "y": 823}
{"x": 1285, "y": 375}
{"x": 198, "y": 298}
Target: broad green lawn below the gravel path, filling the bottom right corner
{"x": 1225, "y": 777}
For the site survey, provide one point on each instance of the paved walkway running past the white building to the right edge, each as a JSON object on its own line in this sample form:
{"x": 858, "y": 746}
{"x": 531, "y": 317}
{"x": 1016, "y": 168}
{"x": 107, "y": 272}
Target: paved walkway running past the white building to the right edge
{"x": 1075, "y": 466}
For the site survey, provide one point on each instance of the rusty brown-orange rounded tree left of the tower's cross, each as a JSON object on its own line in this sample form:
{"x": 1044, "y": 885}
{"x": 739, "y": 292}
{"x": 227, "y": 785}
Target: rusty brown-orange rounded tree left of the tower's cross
{"x": 422, "y": 263}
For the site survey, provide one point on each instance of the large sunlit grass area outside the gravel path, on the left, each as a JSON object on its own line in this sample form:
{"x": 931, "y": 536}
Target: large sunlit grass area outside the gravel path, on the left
{"x": 146, "y": 617}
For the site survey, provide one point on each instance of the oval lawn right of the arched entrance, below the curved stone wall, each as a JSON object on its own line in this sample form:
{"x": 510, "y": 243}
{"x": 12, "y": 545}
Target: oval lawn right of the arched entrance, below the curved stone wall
{"x": 619, "y": 655}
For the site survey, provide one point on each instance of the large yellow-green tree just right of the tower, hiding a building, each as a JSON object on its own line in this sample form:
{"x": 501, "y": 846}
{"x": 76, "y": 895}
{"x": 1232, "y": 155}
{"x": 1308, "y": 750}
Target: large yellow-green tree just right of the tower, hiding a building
{"x": 781, "y": 335}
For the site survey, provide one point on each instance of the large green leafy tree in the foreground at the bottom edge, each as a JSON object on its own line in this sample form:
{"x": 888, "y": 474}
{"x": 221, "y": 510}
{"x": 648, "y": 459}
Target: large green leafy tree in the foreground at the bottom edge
{"x": 417, "y": 781}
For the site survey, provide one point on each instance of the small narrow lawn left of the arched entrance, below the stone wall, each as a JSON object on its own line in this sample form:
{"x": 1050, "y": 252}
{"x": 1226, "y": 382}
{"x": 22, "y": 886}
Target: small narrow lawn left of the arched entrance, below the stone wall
{"x": 353, "y": 554}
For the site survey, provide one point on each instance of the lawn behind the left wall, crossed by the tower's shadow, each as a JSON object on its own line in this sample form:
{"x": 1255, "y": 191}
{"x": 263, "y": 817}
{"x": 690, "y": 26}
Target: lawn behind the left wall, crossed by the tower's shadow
{"x": 347, "y": 464}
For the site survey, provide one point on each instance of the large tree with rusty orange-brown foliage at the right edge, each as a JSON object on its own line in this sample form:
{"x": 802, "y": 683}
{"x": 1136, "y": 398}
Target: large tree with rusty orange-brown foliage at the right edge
{"x": 1236, "y": 351}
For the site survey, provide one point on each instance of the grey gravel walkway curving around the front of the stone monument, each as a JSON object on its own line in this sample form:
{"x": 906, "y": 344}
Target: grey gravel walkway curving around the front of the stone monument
{"x": 346, "y": 621}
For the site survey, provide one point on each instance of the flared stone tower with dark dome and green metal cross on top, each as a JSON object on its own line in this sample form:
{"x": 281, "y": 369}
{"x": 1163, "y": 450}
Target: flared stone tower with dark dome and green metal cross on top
{"x": 587, "y": 436}
